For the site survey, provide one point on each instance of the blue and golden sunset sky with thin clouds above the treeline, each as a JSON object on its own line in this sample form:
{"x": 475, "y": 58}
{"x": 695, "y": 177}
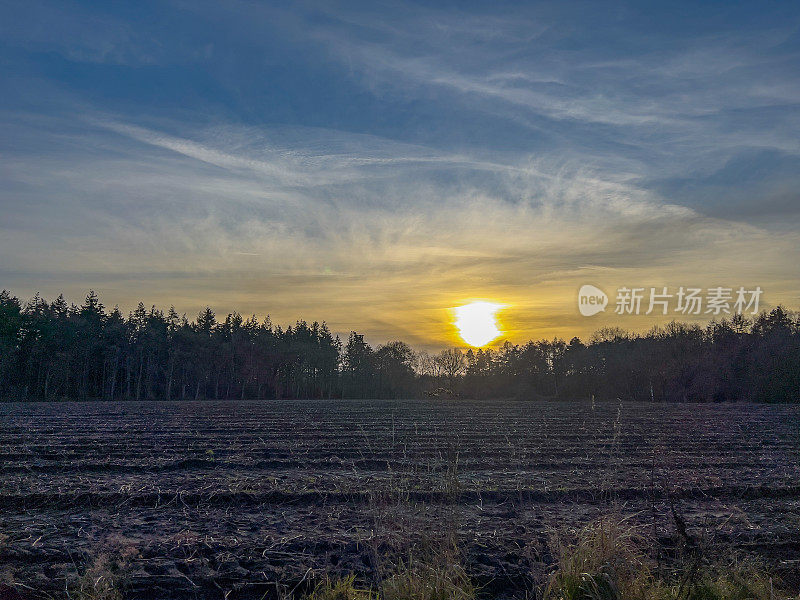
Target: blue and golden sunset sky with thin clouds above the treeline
{"x": 375, "y": 164}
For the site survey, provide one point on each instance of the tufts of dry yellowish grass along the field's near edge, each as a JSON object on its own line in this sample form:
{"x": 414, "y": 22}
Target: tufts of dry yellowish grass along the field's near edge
{"x": 606, "y": 560}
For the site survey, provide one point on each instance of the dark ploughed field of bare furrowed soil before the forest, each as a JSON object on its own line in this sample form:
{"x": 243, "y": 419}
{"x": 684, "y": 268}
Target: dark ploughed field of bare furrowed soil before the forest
{"x": 207, "y": 498}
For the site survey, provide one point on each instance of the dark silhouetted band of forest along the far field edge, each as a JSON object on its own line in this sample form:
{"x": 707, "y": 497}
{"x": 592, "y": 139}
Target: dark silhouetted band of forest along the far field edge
{"x": 56, "y": 351}
